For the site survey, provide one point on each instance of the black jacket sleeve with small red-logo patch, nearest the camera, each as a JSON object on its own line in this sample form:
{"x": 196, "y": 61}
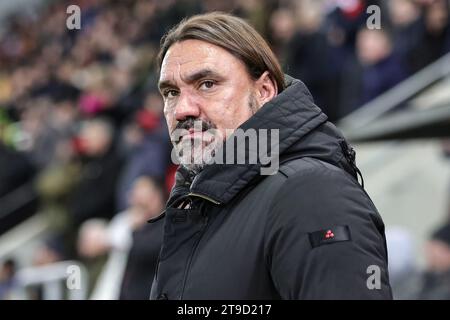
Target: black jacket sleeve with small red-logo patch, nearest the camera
{"x": 303, "y": 265}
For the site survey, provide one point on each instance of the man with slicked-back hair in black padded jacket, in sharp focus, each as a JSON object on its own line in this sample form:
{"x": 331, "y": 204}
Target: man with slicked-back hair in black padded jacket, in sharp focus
{"x": 308, "y": 231}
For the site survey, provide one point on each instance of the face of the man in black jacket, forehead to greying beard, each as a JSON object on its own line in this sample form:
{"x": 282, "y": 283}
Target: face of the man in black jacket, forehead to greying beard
{"x": 204, "y": 87}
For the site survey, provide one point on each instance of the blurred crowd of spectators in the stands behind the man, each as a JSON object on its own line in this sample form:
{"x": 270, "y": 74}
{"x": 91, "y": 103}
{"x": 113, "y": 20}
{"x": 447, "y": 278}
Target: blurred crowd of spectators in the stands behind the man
{"x": 81, "y": 117}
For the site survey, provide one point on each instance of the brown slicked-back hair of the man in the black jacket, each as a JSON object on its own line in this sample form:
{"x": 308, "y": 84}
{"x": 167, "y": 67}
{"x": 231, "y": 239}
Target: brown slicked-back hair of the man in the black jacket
{"x": 232, "y": 34}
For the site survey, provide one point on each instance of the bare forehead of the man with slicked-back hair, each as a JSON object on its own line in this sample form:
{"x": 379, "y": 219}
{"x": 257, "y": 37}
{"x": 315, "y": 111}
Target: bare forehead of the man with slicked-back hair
{"x": 190, "y": 55}
